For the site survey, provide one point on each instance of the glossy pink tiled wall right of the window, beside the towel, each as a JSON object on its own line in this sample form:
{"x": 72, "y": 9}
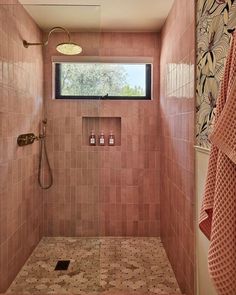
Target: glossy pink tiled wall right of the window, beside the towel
{"x": 177, "y": 141}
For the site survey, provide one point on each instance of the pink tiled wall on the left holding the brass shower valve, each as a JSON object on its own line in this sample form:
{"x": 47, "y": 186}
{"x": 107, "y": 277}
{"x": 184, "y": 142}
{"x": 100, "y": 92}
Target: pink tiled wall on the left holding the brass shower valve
{"x": 21, "y": 87}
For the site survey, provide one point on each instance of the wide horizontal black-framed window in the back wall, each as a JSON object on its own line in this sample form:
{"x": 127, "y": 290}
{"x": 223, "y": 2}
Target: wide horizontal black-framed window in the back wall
{"x": 91, "y": 80}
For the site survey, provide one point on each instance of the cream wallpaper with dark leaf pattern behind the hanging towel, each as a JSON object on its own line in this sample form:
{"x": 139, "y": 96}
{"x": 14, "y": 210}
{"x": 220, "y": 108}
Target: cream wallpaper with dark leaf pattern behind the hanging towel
{"x": 215, "y": 20}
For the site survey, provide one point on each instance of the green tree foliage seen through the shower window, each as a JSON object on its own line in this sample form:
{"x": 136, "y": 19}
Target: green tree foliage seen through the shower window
{"x": 91, "y": 79}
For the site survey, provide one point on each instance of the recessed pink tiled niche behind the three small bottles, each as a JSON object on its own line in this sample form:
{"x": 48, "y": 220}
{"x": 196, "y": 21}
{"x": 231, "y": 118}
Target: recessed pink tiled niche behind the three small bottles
{"x": 101, "y": 124}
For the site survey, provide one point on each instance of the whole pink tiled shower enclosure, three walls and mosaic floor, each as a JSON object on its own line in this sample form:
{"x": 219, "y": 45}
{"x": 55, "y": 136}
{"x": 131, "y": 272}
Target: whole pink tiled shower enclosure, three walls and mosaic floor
{"x": 110, "y": 207}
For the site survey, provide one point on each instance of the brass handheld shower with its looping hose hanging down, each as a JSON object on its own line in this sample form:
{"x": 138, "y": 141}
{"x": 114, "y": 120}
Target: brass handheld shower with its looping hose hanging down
{"x": 43, "y": 149}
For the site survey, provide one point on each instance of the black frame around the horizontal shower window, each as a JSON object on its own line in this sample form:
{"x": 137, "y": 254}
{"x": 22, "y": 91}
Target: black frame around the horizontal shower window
{"x": 148, "y": 95}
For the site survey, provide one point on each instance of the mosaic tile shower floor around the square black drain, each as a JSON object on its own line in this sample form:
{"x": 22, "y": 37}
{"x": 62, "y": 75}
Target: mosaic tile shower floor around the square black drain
{"x": 113, "y": 265}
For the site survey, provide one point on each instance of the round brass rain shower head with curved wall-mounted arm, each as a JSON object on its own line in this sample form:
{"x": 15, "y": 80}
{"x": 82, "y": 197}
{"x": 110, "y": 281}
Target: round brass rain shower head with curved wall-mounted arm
{"x": 67, "y": 48}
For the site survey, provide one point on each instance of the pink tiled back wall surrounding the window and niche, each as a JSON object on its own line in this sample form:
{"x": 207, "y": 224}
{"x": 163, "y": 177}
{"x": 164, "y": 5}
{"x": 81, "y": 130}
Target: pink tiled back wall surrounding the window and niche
{"x": 104, "y": 190}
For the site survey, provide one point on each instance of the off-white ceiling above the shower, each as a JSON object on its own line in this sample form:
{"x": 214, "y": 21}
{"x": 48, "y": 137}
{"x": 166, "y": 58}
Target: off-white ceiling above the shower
{"x": 95, "y": 15}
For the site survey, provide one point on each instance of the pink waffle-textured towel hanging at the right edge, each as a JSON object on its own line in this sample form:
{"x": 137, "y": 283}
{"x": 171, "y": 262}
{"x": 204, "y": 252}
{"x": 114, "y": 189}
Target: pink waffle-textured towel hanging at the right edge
{"x": 218, "y": 212}
